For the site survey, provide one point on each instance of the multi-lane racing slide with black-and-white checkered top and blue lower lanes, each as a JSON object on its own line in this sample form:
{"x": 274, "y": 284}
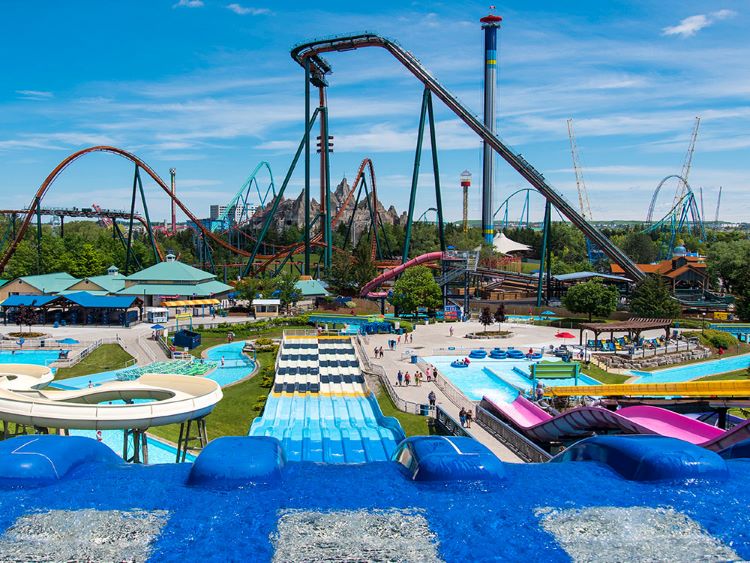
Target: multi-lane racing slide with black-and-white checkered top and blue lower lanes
{"x": 320, "y": 408}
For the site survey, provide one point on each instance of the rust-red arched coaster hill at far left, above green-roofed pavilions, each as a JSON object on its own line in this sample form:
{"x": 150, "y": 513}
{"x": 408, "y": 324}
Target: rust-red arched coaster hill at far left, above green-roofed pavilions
{"x": 30, "y": 212}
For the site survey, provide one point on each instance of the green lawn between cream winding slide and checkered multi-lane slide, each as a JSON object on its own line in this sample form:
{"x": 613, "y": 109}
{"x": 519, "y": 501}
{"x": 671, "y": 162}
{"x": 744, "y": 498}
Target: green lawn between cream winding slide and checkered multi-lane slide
{"x": 232, "y": 415}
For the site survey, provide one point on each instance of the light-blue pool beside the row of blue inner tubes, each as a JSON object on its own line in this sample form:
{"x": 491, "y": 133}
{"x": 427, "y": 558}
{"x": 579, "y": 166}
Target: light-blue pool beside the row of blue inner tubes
{"x": 498, "y": 379}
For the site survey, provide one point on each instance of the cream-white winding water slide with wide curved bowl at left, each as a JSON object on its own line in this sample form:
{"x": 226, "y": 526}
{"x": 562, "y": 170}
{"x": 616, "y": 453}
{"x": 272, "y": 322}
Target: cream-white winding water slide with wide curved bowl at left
{"x": 151, "y": 400}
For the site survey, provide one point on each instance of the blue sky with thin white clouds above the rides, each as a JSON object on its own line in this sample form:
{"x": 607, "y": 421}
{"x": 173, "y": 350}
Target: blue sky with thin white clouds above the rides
{"x": 208, "y": 87}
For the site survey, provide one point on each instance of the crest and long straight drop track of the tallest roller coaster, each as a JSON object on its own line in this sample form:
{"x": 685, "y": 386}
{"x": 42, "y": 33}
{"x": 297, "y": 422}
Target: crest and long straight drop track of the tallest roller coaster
{"x": 319, "y": 67}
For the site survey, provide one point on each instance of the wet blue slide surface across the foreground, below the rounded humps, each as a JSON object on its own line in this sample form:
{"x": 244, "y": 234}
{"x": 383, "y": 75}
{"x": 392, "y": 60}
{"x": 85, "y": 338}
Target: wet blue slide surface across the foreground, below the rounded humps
{"x": 470, "y": 521}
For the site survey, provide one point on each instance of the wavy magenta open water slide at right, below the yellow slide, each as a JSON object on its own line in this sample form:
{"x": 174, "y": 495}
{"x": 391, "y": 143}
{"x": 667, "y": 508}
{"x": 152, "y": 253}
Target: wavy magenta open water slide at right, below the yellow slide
{"x": 542, "y": 426}
